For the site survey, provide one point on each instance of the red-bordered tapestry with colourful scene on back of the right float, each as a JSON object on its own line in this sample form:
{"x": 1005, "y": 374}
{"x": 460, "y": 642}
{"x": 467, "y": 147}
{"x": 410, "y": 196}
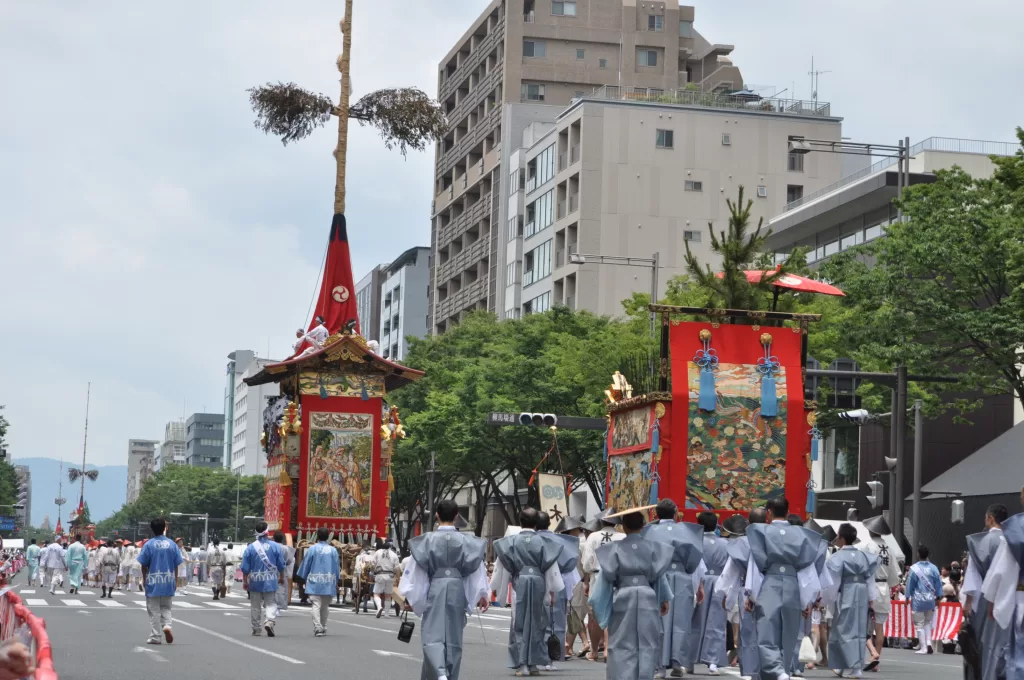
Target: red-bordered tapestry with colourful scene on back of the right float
{"x": 736, "y": 458}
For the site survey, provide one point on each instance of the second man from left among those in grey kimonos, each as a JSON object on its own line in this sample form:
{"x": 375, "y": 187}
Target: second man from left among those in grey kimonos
{"x": 530, "y": 562}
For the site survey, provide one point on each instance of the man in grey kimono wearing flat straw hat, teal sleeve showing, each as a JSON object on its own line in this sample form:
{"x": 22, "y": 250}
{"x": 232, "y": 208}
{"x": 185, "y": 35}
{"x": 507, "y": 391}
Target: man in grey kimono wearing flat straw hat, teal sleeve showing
{"x": 631, "y": 597}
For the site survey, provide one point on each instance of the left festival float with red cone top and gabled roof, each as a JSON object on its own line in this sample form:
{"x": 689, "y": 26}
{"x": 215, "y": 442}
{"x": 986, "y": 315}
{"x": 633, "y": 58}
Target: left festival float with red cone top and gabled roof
{"x": 330, "y": 436}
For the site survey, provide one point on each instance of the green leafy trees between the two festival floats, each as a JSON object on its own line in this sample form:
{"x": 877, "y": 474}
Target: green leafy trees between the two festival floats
{"x": 560, "y": 362}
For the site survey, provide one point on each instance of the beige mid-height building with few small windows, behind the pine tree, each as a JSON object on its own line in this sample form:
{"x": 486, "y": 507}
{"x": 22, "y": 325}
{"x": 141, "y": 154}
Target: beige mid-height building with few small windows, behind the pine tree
{"x": 631, "y": 174}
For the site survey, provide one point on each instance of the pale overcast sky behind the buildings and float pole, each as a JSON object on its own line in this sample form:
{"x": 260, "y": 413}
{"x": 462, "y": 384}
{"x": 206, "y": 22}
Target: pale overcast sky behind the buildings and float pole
{"x": 148, "y": 230}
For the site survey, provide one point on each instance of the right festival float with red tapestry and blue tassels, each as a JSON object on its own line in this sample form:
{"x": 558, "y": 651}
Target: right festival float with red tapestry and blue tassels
{"x": 729, "y": 428}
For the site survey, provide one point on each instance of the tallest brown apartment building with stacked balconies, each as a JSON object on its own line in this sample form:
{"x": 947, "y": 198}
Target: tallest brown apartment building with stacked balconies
{"x": 525, "y": 61}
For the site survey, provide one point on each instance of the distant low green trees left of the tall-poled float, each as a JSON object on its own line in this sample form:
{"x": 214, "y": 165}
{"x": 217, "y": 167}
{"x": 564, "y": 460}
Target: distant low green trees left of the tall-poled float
{"x": 191, "y": 490}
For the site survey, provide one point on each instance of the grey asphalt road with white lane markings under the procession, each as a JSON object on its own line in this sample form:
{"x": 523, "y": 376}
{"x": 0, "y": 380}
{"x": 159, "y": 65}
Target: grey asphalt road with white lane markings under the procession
{"x": 97, "y": 640}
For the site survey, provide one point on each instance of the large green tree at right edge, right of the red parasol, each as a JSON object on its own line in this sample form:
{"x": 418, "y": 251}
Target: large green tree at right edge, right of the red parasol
{"x": 944, "y": 292}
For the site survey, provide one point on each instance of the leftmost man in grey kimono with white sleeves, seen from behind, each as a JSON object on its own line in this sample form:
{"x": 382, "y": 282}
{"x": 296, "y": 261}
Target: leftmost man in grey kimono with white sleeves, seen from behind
{"x": 445, "y": 579}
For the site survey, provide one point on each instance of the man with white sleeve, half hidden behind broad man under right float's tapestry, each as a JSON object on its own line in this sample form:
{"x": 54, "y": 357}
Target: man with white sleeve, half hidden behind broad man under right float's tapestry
{"x": 732, "y": 585}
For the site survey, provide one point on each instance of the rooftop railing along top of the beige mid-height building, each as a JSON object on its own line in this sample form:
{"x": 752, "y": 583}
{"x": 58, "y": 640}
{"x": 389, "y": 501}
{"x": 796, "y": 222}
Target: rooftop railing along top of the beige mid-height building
{"x": 686, "y": 97}
